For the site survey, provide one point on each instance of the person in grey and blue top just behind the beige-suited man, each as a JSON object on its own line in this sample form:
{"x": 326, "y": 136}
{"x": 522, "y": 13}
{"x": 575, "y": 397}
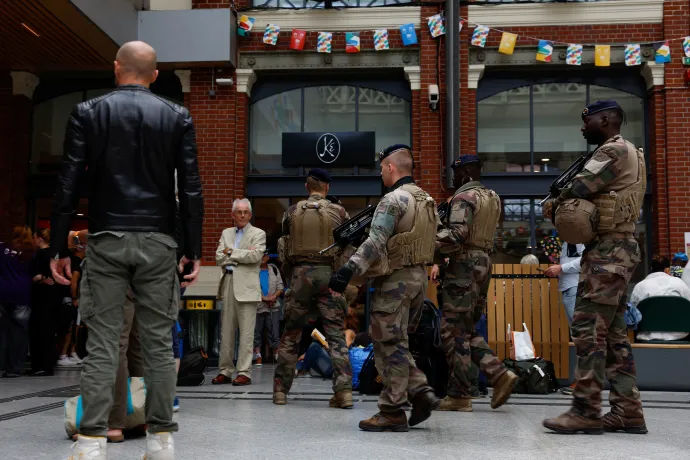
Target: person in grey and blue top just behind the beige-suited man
{"x": 268, "y": 313}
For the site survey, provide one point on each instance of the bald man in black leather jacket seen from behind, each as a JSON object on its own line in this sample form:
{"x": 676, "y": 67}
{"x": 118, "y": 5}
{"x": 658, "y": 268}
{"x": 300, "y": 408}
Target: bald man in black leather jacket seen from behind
{"x": 125, "y": 147}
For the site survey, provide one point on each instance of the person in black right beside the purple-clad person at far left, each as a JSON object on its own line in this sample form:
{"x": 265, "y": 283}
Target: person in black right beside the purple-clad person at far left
{"x": 46, "y": 301}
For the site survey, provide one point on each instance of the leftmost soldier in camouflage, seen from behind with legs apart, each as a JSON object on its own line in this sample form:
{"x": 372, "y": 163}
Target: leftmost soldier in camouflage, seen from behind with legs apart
{"x": 308, "y": 285}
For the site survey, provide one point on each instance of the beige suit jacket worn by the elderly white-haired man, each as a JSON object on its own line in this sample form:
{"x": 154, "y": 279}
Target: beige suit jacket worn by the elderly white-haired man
{"x": 246, "y": 262}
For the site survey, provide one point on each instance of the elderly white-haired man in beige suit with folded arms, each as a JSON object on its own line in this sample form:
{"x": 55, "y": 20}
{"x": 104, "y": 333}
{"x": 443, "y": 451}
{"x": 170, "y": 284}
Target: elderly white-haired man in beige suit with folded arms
{"x": 239, "y": 252}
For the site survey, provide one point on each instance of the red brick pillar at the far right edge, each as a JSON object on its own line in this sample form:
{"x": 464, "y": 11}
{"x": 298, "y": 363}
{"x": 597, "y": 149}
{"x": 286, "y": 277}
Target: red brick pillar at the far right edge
{"x": 676, "y": 102}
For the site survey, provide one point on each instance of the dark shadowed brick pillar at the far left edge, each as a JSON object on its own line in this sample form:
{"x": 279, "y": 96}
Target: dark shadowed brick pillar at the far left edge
{"x": 15, "y": 142}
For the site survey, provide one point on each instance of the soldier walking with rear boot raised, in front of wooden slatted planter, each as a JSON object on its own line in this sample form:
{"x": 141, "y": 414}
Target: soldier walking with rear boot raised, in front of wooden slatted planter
{"x": 467, "y": 239}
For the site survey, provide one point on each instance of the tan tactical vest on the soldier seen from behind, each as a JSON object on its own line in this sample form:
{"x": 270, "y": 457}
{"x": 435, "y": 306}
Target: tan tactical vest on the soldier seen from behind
{"x": 311, "y": 230}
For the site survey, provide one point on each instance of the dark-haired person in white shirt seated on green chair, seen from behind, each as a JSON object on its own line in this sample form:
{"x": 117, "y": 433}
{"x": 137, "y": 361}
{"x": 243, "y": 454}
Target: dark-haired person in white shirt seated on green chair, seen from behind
{"x": 656, "y": 284}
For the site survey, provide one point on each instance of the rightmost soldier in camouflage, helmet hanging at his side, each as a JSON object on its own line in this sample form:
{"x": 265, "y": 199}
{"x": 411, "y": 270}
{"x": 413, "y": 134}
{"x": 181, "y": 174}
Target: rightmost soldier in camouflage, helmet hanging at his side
{"x": 616, "y": 171}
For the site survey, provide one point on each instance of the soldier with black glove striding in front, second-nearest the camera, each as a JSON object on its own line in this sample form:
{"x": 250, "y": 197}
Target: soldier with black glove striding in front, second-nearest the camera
{"x": 401, "y": 237}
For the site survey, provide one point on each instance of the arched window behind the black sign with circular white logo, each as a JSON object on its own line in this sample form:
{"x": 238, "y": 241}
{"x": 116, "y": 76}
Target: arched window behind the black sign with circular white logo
{"x": 336, "y": 108}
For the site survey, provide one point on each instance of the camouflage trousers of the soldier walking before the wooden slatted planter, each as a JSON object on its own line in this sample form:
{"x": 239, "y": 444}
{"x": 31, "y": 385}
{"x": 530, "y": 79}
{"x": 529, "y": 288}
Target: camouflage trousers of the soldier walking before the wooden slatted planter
{"x": 465, "y": 289}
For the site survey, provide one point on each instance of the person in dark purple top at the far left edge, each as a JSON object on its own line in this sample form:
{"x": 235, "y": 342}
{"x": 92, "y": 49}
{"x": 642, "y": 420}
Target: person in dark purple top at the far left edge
{"x": 15, "y": 300}
